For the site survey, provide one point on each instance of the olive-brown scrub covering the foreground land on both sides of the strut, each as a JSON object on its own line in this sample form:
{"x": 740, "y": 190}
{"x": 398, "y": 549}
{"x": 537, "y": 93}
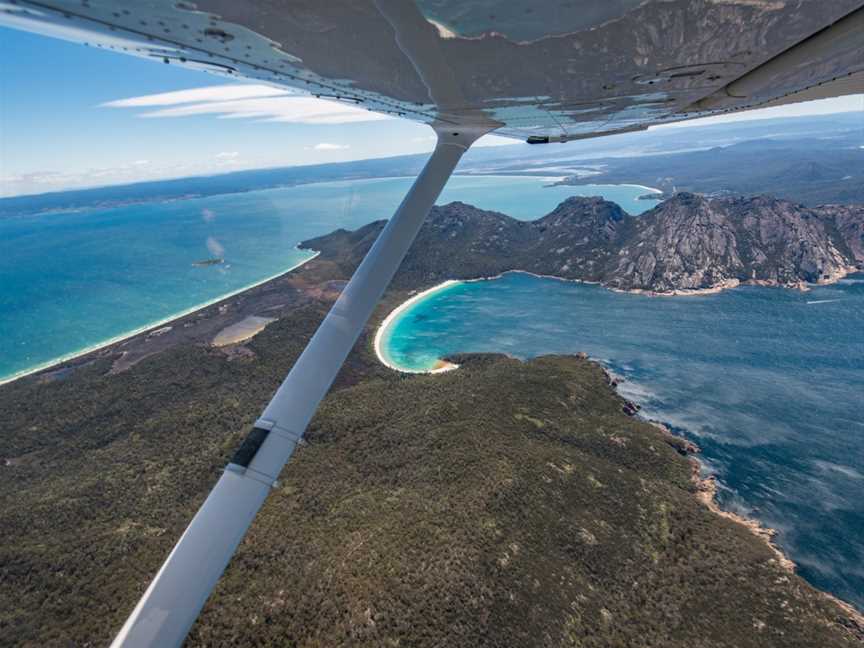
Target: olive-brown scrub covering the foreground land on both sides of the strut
{"x": 500, "y": 504}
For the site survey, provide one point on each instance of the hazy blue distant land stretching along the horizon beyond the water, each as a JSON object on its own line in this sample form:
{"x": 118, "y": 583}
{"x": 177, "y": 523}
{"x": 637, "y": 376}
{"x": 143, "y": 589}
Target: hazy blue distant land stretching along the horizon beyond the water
{"x": 812, "y": 160}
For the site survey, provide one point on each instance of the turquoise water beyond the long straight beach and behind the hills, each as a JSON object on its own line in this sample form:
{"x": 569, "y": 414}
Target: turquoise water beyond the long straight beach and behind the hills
{"x": 71, "y": 281}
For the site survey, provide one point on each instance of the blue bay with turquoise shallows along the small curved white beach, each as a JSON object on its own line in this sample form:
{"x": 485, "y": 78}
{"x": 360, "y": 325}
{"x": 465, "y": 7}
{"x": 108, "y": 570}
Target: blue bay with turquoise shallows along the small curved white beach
{"x": 768, "y": 382}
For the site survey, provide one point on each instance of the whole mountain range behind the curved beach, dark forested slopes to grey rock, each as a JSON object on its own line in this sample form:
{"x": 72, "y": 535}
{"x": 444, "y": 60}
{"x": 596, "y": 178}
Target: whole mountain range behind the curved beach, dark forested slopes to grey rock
{"x": 686, "y": 243}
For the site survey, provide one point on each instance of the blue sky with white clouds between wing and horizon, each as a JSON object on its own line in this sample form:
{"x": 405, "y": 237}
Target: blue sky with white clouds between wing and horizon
{"x": 56, "y": 131}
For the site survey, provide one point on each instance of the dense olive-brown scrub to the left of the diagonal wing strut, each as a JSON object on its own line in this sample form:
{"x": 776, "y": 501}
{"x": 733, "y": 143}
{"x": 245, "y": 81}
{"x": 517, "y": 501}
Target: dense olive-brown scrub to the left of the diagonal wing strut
{"x": 100, "y": 473}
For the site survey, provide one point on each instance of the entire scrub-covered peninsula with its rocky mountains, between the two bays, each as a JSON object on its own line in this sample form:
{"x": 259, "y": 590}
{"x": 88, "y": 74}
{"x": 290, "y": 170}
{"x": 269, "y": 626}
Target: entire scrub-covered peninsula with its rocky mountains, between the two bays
{"x": 505, "y": 503}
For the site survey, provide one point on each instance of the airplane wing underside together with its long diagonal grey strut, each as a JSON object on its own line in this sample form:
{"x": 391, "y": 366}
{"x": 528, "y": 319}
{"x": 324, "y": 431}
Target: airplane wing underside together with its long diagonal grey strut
{"x": 542, "y": 71}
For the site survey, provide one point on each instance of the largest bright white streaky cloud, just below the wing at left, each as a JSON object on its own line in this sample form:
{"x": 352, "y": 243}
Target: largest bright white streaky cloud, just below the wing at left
{"x": 257, "y": 102}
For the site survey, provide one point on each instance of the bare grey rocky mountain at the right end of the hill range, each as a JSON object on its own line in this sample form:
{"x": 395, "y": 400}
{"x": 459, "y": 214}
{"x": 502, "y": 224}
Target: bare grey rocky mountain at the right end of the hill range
{"x": 691, "y": 243}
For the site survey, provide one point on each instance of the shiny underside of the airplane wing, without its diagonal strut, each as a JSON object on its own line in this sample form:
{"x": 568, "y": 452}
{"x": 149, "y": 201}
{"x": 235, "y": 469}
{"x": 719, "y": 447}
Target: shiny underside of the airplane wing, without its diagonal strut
{"x": 539, "y": 71}
